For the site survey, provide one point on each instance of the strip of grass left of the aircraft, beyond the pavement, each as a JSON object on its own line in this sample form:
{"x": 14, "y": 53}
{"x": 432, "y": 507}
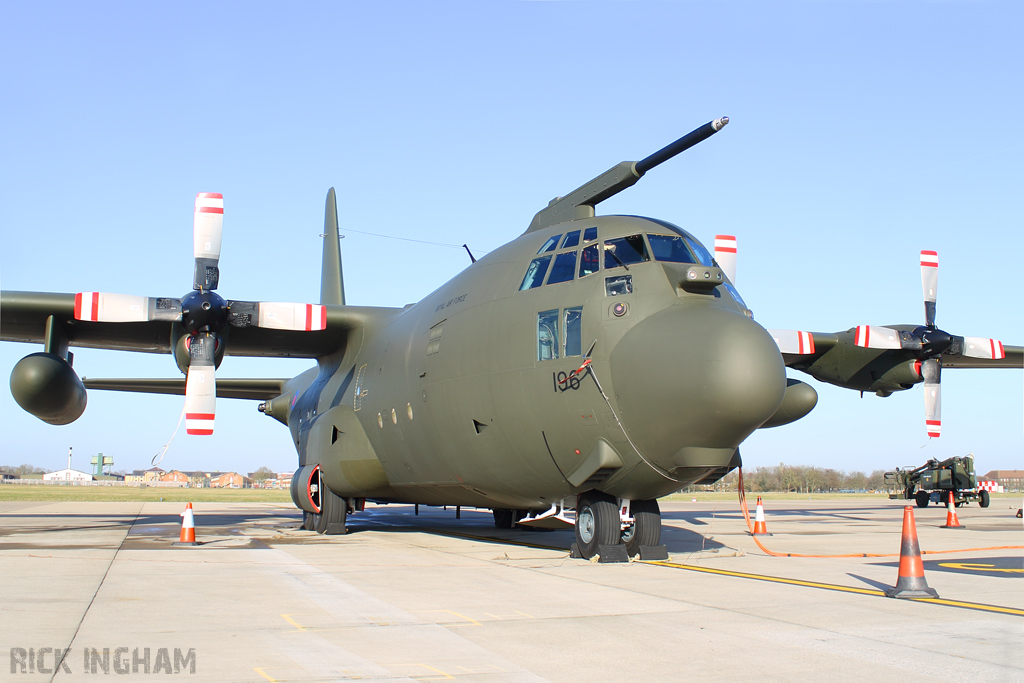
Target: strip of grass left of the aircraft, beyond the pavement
{"x": 142, "y": 494}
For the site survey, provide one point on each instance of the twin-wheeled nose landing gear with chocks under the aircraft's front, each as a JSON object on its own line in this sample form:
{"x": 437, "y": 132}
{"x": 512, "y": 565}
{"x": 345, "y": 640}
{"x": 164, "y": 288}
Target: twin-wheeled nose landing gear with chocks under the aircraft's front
{"x": 606, "y": 522}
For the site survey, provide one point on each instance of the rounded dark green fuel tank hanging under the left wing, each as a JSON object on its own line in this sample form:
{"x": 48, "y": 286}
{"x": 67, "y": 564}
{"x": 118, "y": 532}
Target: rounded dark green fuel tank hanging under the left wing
{"x": 47, "y": 386}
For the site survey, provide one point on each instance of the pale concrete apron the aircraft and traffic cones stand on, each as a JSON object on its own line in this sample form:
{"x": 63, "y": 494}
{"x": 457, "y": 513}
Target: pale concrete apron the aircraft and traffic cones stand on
{"x": 416, "y": 599}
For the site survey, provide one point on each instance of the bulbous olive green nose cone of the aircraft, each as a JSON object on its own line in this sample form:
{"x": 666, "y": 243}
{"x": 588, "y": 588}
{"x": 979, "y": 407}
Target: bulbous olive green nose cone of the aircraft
{"x": 694, "y": 381}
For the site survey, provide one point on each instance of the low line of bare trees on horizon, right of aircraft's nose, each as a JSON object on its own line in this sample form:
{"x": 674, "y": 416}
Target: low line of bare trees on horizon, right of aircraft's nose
{"x": 798, "y": 479}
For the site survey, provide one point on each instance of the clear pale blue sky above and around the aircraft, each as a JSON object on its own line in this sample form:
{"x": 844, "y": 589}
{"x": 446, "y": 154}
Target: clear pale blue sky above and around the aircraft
{"x": 862, "y": 134}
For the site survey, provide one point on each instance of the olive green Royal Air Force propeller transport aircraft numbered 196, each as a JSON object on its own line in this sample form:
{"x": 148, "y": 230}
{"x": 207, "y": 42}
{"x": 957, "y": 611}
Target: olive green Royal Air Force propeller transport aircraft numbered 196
{"x": 590, "y": 366}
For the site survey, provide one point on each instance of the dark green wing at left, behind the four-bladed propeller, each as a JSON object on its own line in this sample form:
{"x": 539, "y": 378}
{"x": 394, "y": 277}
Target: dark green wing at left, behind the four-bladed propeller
{"x": 24, "y": 317}
